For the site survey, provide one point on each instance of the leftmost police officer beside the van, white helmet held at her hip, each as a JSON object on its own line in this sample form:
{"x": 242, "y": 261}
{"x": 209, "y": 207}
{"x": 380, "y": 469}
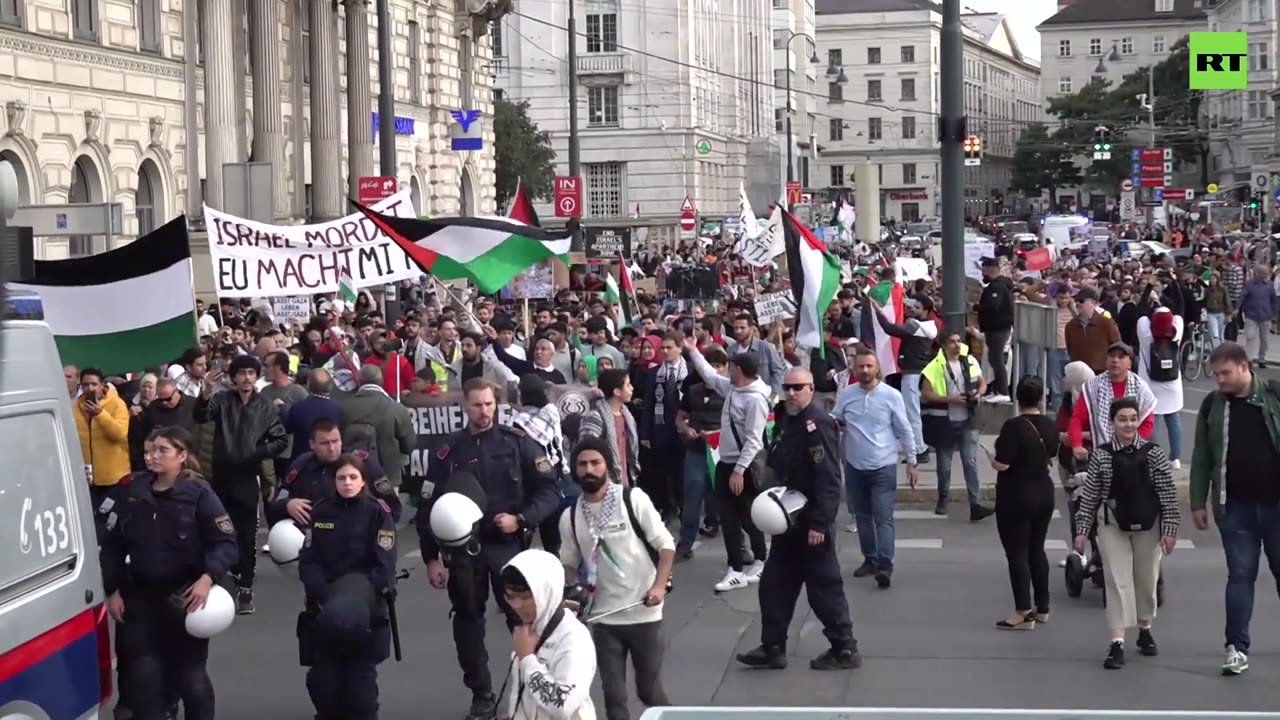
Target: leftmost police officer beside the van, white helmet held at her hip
{"x": 180, "y": 543}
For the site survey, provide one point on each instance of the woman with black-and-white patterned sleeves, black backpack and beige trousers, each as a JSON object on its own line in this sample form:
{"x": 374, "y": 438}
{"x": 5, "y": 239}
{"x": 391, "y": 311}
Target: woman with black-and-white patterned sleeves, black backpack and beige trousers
{"x": 1131, "y": 500}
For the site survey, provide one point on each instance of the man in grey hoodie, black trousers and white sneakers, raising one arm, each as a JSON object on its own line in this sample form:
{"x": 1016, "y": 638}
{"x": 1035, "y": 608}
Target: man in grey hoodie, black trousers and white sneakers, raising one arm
{"x": 742, "y": 459}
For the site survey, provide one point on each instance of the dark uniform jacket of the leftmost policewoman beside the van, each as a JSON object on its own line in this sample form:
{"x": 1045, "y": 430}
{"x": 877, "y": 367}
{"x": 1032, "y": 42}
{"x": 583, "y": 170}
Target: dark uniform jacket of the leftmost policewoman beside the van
{"x": 171, "y": 537}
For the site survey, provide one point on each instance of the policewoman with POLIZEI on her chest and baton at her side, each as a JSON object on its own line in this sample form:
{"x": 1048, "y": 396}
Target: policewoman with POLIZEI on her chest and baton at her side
{"x": 348, "y": 568}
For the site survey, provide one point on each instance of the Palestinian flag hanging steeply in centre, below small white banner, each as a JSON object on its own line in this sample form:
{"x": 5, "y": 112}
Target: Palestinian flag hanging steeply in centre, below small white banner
{"x": 815, "y": 280}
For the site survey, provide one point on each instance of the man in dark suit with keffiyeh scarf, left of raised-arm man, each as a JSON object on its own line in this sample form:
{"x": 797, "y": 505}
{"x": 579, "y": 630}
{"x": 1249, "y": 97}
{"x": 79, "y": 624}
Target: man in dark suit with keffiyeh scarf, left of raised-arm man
{"x": 659, "y": 427}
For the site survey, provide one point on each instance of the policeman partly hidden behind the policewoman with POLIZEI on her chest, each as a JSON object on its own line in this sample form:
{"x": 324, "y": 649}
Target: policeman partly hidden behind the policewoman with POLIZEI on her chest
{"x": 312, "y": 479}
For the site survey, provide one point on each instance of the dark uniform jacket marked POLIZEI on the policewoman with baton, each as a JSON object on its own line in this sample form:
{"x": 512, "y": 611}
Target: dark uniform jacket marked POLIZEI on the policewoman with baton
{"x": 349, "y": 535}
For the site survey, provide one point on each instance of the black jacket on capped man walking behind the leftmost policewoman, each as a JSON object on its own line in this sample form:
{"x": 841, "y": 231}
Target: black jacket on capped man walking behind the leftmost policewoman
{"x": 245, "y": 434}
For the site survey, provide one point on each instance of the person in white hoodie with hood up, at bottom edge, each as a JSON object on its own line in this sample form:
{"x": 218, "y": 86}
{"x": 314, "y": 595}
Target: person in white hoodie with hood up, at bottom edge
{"x": 554, "y": 659}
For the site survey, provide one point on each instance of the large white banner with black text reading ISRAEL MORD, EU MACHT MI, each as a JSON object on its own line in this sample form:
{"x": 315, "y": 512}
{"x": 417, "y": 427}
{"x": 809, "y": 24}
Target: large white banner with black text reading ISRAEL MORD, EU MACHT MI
{"x": 259, "y": 261}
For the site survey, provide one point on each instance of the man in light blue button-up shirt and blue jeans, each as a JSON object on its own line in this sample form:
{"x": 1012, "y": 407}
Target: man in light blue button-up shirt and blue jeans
{"x": 875, "y": 421}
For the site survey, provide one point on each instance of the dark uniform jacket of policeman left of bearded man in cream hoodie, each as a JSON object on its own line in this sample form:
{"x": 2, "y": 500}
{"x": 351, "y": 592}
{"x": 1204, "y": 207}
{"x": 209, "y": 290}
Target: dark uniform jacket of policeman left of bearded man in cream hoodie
{"x": 516, "y": 475}
